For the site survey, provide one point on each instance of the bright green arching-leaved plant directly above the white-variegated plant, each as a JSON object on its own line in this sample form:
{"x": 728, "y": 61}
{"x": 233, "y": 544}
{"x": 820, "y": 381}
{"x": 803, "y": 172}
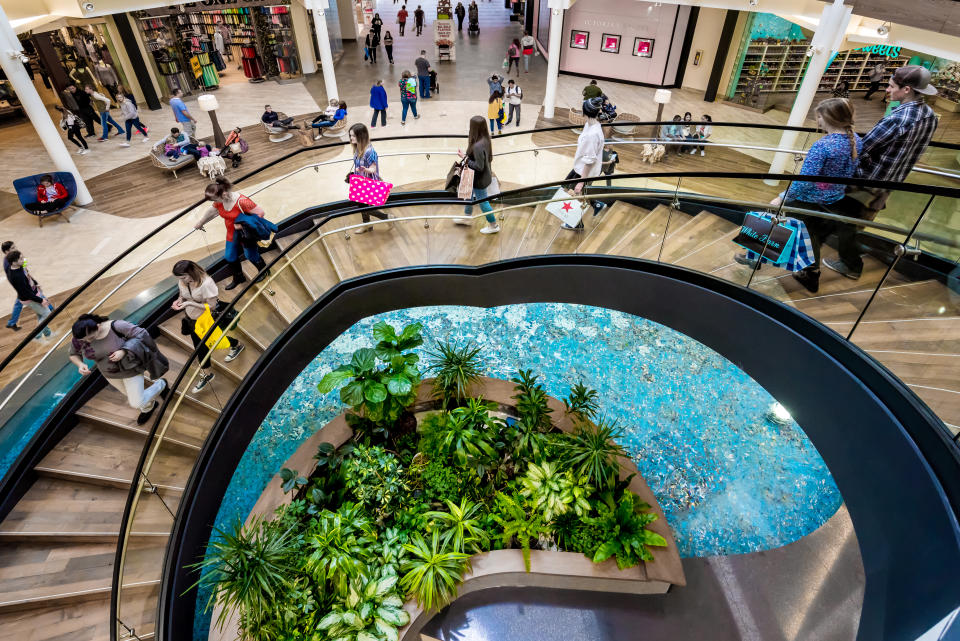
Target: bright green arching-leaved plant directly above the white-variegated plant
{"x": 340, "y": 545}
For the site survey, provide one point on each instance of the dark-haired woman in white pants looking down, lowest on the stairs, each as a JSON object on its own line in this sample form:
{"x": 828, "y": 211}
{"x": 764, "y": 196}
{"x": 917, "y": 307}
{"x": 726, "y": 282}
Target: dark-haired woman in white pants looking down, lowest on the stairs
{"x": 123, "y": 352}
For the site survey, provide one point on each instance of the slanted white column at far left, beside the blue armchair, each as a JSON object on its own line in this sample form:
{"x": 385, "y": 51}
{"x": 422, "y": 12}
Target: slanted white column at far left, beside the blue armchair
{"x": 10, "y": 51}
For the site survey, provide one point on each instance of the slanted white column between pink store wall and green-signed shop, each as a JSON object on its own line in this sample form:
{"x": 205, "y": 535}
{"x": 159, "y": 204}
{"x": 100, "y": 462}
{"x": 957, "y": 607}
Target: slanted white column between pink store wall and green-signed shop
{"x": 830, "y": 32}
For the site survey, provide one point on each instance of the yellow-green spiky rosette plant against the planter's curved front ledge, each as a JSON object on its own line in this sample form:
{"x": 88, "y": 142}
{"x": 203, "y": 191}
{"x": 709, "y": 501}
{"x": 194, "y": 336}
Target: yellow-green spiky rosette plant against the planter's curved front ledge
{"x": 433, "y": 571}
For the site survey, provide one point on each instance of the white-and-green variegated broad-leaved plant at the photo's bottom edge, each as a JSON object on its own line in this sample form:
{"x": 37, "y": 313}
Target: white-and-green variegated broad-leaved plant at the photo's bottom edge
{"x": 371, "y": 611}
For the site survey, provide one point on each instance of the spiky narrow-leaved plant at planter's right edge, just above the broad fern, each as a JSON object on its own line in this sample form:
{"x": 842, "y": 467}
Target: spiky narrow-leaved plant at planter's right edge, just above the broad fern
{"x": 593, "y": 451}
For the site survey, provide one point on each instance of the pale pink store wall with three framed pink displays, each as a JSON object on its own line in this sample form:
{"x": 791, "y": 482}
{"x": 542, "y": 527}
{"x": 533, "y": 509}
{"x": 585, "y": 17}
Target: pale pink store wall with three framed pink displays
{"x": 629, "y": 19}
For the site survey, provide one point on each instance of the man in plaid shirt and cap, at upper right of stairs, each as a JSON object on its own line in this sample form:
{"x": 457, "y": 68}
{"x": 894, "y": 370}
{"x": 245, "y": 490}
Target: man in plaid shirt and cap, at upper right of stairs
{"x": 890, "y": 151}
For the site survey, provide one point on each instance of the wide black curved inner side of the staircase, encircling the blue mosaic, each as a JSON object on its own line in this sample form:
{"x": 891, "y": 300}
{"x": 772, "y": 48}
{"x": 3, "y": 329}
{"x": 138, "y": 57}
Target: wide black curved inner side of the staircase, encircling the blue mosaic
{"x": 899, "y": 478}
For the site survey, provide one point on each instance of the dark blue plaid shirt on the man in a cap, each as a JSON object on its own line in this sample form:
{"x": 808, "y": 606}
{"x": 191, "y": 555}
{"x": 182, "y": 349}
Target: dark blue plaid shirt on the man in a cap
{"x": 894, "y": 145}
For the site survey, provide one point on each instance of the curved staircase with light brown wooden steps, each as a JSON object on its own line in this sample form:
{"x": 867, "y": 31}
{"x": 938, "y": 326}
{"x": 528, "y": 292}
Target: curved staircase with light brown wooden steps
{"x": 57, "y": 546}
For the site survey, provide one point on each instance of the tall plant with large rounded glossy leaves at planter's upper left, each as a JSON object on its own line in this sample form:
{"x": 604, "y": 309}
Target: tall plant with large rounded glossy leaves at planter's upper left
{"x": 380, "y": 394}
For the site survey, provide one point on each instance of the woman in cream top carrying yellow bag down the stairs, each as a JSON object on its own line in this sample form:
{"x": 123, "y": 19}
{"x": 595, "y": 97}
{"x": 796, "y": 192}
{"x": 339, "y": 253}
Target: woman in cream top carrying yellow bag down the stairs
{"x": 198, "y": 291}
